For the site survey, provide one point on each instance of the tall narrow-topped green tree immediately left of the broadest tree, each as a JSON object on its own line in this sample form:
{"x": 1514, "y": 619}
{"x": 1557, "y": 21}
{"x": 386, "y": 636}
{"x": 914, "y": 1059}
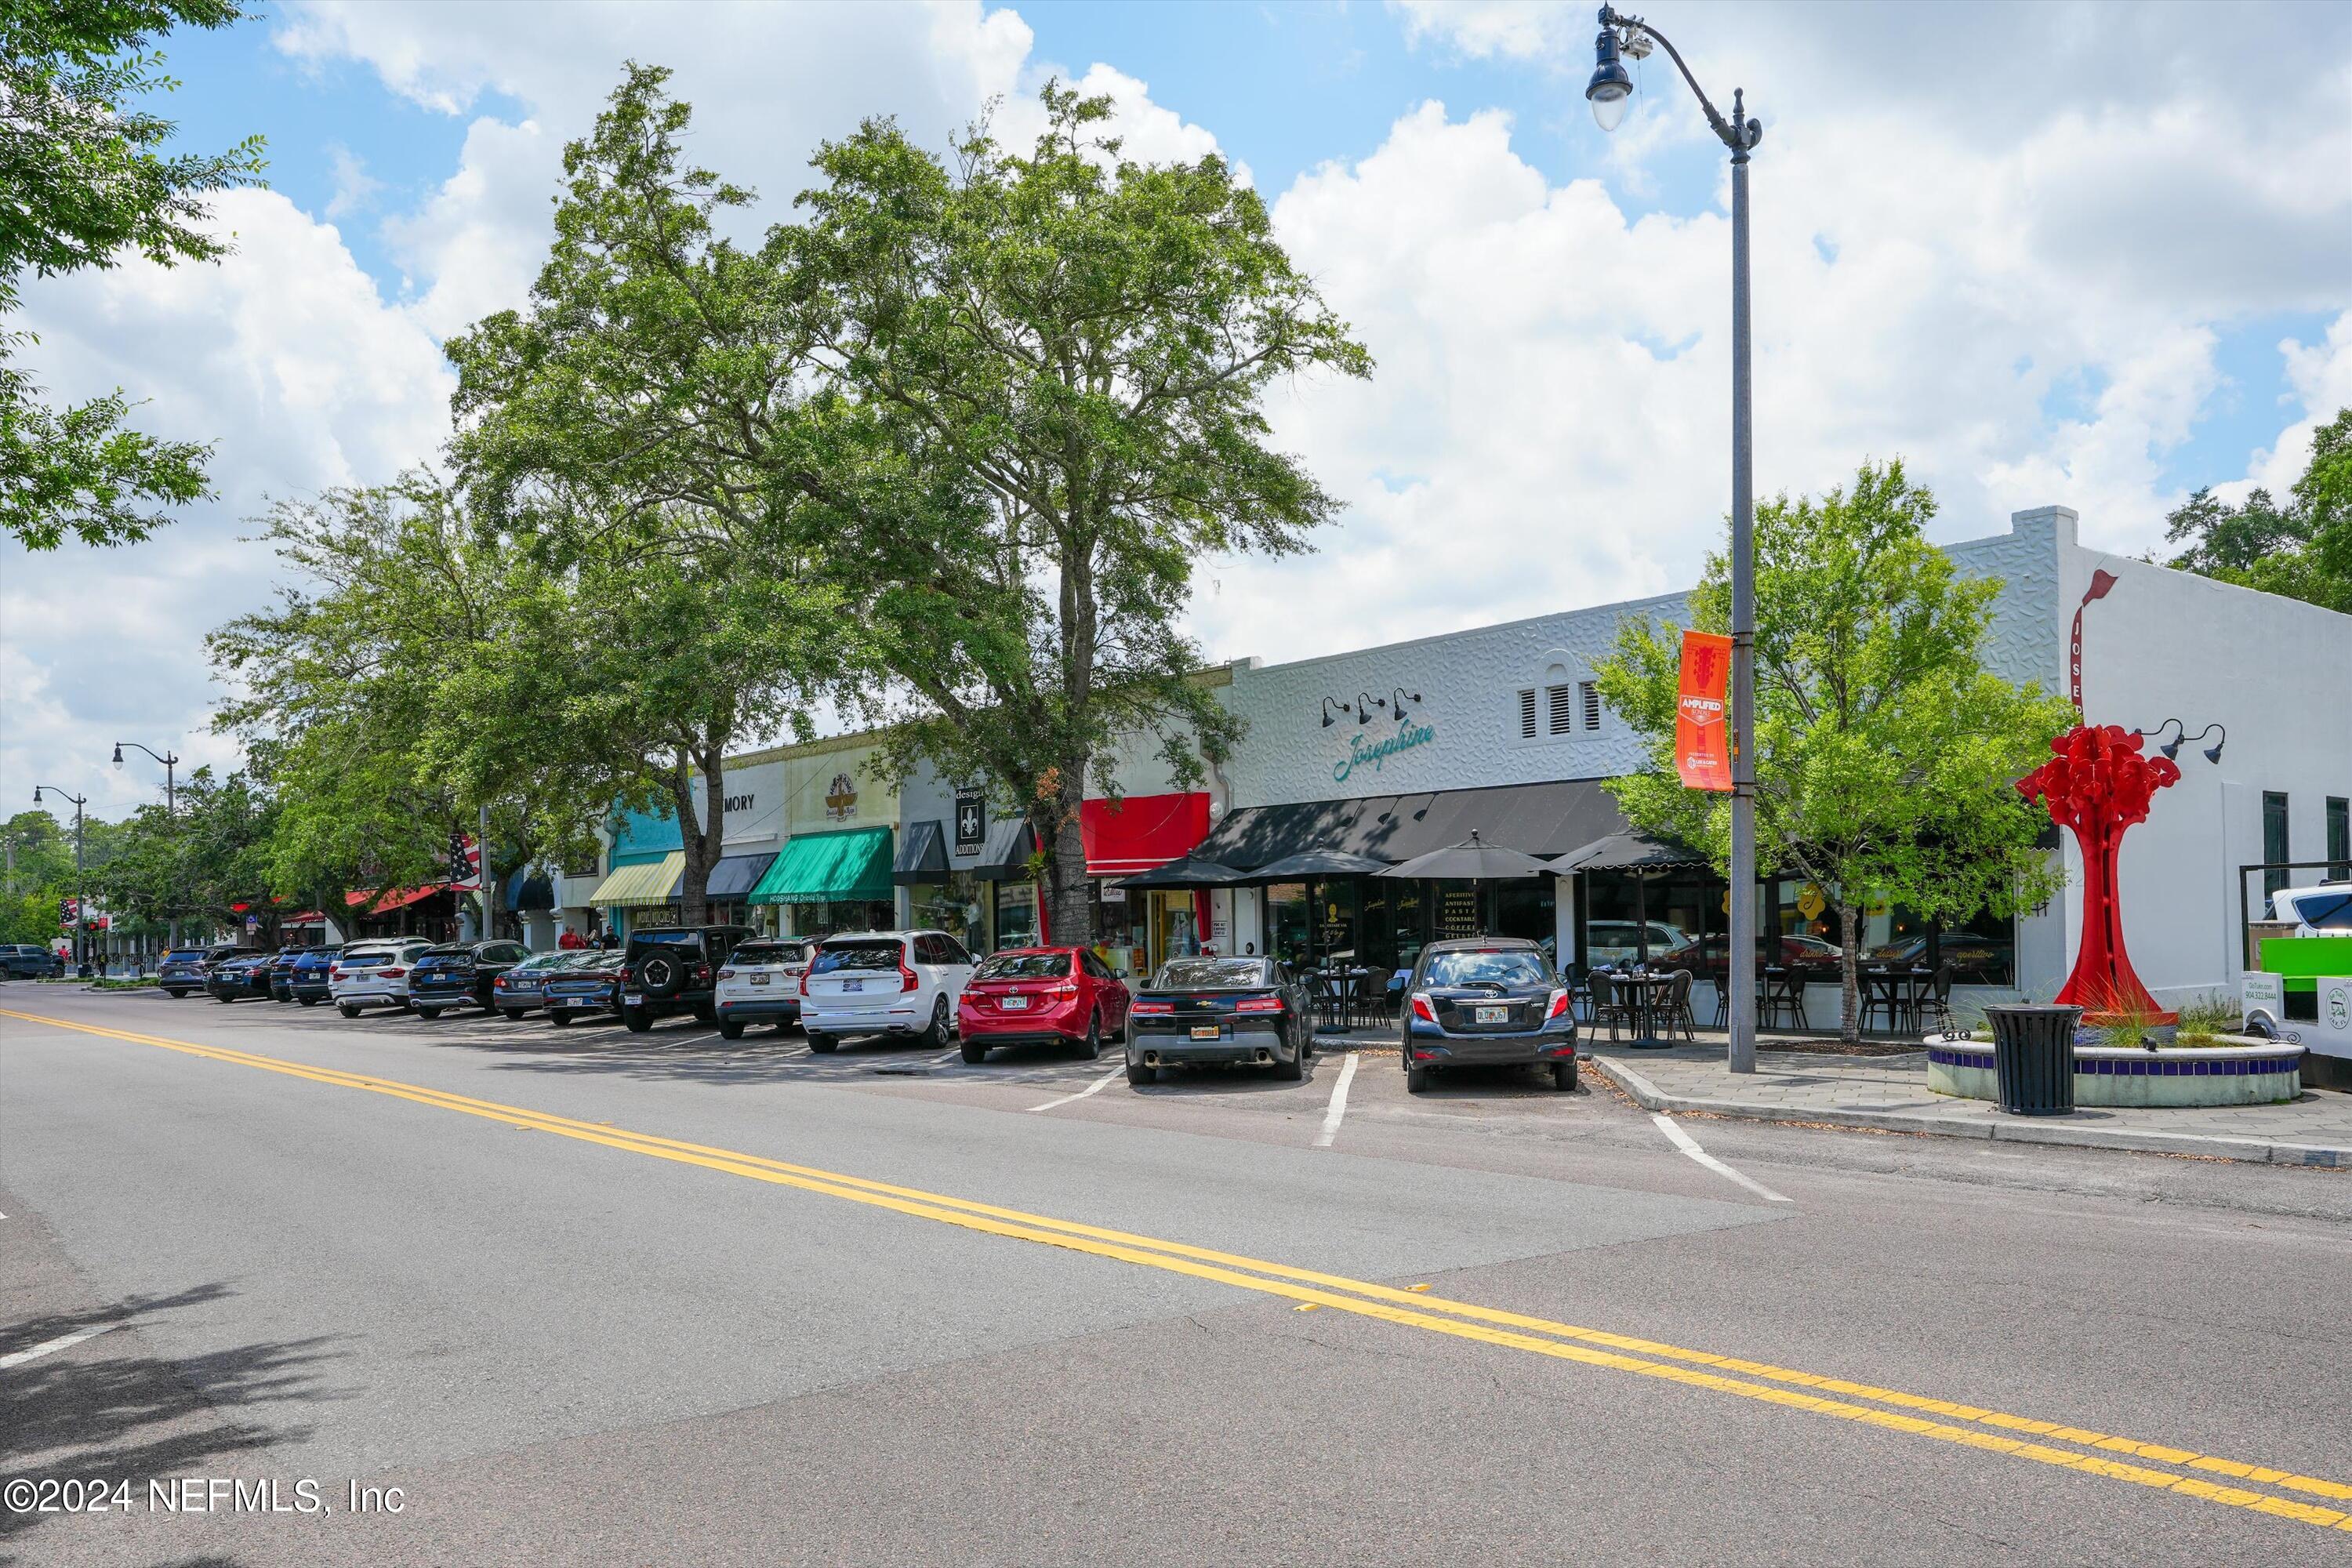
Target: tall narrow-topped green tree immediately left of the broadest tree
{"x": 639, "y": 424}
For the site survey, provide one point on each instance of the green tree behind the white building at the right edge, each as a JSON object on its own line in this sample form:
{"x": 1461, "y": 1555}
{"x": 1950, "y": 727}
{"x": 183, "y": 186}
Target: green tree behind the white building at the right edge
{"x": 2301, "y": 551}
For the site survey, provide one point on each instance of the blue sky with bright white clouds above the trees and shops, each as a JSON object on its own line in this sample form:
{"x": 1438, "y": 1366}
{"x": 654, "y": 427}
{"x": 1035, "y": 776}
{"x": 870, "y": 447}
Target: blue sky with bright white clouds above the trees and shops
{"x": 2083, "y": 255}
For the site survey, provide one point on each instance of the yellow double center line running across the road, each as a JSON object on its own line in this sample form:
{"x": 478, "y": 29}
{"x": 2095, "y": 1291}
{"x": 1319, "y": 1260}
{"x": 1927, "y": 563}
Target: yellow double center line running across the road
{"x": 1913, "y": 1414}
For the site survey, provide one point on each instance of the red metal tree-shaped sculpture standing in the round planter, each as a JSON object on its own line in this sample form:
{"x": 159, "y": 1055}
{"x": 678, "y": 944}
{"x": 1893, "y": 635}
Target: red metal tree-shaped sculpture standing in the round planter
{"x": 2097, "y": 786}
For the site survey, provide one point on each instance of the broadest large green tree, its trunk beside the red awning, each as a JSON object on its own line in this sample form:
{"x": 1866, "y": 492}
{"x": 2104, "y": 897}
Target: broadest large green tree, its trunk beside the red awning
{"x": 1043, "y": 387}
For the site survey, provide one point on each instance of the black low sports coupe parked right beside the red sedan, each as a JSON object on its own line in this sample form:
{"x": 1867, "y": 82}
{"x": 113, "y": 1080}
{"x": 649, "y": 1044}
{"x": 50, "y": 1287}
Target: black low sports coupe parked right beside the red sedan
{"x": 1250, "y": 1010}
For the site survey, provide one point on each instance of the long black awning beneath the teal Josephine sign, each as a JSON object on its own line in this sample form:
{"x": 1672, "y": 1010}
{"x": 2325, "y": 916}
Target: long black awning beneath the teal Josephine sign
{"x": 1539, "y": 819}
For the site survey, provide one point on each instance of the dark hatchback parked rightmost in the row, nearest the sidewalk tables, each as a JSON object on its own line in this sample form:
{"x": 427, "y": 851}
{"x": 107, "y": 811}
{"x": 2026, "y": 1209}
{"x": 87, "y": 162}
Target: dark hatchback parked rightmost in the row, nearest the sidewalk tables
{"x": 1485, "y": 1003}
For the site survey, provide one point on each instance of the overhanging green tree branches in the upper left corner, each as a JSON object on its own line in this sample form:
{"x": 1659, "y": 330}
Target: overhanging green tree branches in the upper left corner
{"x": 86, "y": 182}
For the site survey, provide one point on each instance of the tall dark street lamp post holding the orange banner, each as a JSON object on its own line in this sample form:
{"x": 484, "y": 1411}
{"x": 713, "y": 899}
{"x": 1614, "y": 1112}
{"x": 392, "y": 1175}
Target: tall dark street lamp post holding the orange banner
{"x": 1610, "y": 93}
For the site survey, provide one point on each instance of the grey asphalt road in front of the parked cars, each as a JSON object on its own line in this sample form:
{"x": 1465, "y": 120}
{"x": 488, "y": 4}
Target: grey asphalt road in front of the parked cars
{"x": 587, "y": 1296}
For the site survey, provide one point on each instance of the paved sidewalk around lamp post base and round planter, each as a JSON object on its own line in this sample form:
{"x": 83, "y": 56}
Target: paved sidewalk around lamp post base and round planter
{"x": 1890, "y": 1092}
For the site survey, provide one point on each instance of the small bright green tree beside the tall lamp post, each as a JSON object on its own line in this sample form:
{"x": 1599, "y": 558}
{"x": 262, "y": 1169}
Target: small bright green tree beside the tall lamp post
{"x": 1887, "y": 756}
